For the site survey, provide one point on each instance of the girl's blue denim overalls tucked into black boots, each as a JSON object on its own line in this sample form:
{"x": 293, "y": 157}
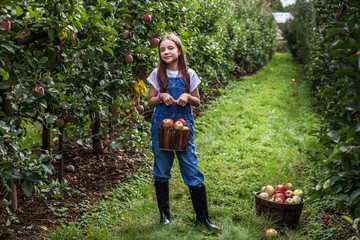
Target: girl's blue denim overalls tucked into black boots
{"x": 188, "y": 161}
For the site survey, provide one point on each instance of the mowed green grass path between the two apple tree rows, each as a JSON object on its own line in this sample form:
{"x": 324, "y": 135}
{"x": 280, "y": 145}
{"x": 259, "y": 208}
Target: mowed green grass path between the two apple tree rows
{"x": 255, "y": 134}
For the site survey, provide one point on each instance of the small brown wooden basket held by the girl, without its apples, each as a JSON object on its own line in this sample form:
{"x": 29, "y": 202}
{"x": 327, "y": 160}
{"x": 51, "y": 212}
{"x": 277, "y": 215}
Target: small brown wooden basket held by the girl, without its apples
{"x": 174, "y": 139}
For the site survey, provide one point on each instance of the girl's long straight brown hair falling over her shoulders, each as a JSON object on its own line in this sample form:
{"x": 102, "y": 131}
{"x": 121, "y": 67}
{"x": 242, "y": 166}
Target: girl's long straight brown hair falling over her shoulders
{"x": 162, "y": 77}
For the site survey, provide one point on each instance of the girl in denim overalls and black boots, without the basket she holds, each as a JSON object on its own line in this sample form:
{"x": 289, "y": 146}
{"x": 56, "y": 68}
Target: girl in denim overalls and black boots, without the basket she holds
{"x": 173, "y": 92}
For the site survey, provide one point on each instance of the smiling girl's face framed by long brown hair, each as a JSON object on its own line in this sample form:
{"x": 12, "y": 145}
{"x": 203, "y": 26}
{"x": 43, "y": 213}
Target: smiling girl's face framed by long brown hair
{"x": 169, "y": 53}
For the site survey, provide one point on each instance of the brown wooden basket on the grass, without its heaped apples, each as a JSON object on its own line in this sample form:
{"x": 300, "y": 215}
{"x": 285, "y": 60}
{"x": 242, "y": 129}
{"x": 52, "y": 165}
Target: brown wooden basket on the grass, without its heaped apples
{"x": 286, "y": 214}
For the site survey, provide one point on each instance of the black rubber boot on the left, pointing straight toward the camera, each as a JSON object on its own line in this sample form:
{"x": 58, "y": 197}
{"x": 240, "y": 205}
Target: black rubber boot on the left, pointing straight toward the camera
{"x": 162, "y": 196}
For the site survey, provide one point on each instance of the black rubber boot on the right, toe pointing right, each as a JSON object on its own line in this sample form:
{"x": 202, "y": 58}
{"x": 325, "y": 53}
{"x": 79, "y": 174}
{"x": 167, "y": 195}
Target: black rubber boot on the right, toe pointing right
{"x": 199, "y": 200}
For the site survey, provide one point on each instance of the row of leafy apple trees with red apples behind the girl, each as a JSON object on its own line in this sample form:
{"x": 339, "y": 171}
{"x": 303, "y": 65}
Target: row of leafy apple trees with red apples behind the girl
{"x": 79, "y": 68}
